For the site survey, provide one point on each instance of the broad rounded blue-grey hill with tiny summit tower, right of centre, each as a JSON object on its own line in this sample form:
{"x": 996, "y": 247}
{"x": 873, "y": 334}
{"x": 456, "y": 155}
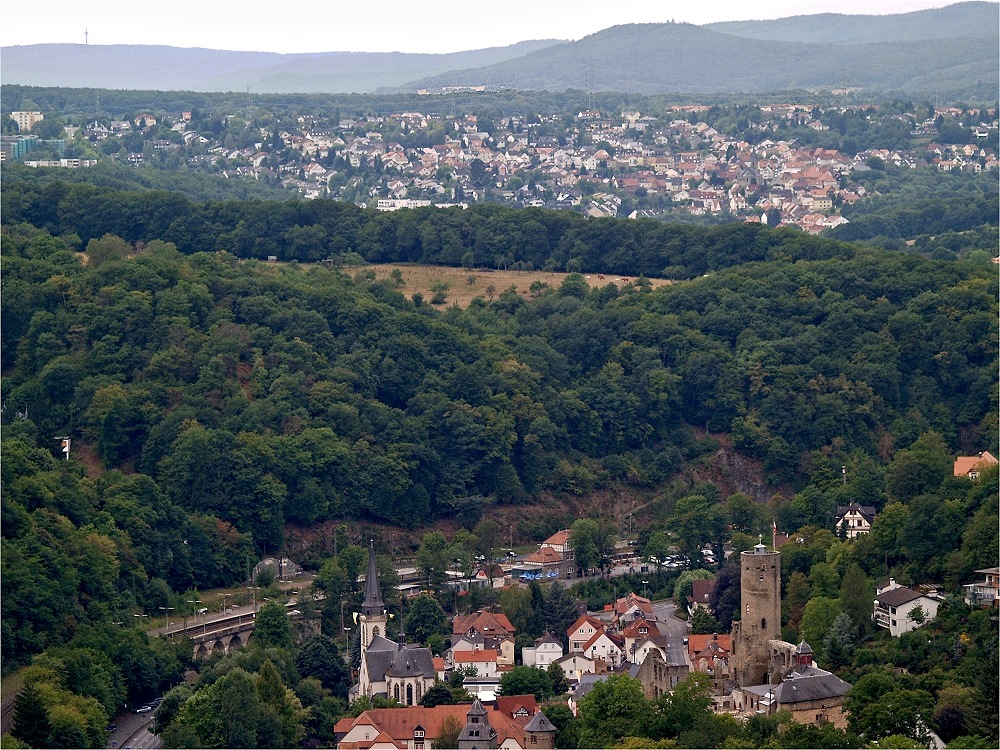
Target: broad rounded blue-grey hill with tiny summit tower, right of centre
{"x": 667, "y": 58}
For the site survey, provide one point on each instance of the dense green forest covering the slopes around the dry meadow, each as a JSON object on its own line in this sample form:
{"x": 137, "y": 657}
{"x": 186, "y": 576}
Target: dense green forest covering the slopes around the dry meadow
{"x": 215, "y": 401}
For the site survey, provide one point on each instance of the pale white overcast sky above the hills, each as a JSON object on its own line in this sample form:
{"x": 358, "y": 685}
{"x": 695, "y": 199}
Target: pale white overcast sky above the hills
{"x": 387, "y": 26}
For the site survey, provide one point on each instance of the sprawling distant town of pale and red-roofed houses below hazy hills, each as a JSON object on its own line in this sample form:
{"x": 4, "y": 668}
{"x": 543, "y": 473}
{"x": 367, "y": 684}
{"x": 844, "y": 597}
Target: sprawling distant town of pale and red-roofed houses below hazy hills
{"x": 599, "y": 163}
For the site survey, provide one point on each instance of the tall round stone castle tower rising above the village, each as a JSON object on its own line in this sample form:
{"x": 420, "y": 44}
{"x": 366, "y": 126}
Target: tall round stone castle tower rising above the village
{"x": 760, "y": 609}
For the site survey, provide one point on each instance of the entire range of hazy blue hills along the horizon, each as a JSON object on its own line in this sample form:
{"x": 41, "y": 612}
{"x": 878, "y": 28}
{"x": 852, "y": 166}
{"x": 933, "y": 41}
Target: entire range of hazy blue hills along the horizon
{"x": 949, "y": 51}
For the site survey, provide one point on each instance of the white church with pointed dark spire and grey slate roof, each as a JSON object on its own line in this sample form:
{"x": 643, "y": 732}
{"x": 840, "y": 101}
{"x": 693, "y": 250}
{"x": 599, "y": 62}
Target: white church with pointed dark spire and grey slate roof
{"x": 391, "y": 669}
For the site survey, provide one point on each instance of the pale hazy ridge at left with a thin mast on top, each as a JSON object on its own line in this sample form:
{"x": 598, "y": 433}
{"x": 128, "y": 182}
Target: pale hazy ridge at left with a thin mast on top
{"x": 122, "y": 66}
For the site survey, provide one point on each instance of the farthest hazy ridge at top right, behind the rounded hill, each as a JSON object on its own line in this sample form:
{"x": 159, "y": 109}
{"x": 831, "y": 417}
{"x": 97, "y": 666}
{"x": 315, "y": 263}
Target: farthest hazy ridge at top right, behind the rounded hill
{"x": 968, "y": 19}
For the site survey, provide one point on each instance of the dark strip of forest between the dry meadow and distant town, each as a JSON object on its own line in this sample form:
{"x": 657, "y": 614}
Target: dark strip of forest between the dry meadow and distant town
{"x": 484, "y": 235}
